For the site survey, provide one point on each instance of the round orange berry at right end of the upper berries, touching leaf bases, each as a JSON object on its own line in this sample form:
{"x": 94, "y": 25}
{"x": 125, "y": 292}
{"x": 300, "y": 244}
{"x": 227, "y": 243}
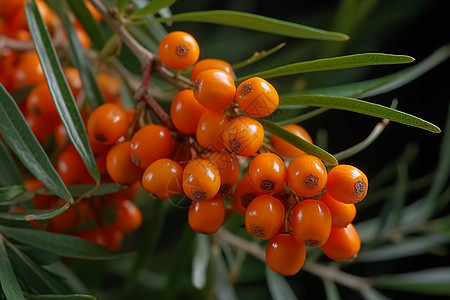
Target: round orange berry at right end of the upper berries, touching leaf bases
{"x": 257, "y": 97}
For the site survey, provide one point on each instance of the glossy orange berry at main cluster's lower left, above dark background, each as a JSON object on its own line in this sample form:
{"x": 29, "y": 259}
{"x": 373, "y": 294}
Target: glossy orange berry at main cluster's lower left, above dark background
{"x": 163, "y": 178}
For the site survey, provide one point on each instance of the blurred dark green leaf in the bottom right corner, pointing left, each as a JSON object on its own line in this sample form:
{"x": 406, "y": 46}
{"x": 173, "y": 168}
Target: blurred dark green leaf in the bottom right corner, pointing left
{"x": 429, "y": 282}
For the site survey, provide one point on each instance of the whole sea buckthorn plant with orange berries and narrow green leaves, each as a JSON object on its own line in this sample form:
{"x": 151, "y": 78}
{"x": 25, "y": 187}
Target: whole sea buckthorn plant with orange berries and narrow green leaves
{"x": 140, "y": 159}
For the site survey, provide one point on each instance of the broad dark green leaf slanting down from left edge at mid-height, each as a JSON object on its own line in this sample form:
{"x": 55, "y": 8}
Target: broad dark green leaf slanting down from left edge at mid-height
{"x": 22, "y": 141}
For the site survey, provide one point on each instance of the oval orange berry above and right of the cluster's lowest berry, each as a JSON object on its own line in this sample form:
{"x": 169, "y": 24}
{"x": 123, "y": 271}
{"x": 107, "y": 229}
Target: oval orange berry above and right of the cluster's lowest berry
{"x": 311, "y": 222}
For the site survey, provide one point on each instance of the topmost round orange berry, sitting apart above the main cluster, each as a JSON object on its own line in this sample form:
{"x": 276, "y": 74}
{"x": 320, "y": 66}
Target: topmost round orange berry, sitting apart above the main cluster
{"x": 178, "y": 50}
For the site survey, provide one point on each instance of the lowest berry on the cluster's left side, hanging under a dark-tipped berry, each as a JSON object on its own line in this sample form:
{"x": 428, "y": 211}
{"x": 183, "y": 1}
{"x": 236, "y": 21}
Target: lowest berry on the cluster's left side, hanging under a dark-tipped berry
{"x": 206, "y": 216}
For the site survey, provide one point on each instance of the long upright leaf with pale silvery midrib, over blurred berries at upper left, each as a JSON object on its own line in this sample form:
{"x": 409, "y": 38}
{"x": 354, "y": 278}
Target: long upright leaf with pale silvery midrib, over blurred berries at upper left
{"x": 59, "y": 88}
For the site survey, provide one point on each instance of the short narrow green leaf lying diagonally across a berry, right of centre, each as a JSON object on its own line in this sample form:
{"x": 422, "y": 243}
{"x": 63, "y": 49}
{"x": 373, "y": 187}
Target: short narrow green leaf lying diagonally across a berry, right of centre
{"x": 299, "y": 142}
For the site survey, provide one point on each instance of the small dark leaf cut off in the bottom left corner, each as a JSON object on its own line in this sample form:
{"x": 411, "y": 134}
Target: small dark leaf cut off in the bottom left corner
{"x": 8, "y": 280}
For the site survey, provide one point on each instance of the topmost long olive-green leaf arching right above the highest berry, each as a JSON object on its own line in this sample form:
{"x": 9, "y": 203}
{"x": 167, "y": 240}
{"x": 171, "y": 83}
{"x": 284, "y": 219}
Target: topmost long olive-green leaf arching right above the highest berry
{"x": 257, "y": 23}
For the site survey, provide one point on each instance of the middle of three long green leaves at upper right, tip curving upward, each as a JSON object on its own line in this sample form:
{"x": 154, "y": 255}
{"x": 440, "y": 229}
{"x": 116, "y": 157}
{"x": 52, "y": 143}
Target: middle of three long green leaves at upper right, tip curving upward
{"x": 334, "y": 63}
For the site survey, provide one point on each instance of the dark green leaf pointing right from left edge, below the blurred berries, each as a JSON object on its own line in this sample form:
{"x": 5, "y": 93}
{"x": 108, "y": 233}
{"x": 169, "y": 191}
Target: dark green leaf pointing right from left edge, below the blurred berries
{"x": 60, "y": 244}
